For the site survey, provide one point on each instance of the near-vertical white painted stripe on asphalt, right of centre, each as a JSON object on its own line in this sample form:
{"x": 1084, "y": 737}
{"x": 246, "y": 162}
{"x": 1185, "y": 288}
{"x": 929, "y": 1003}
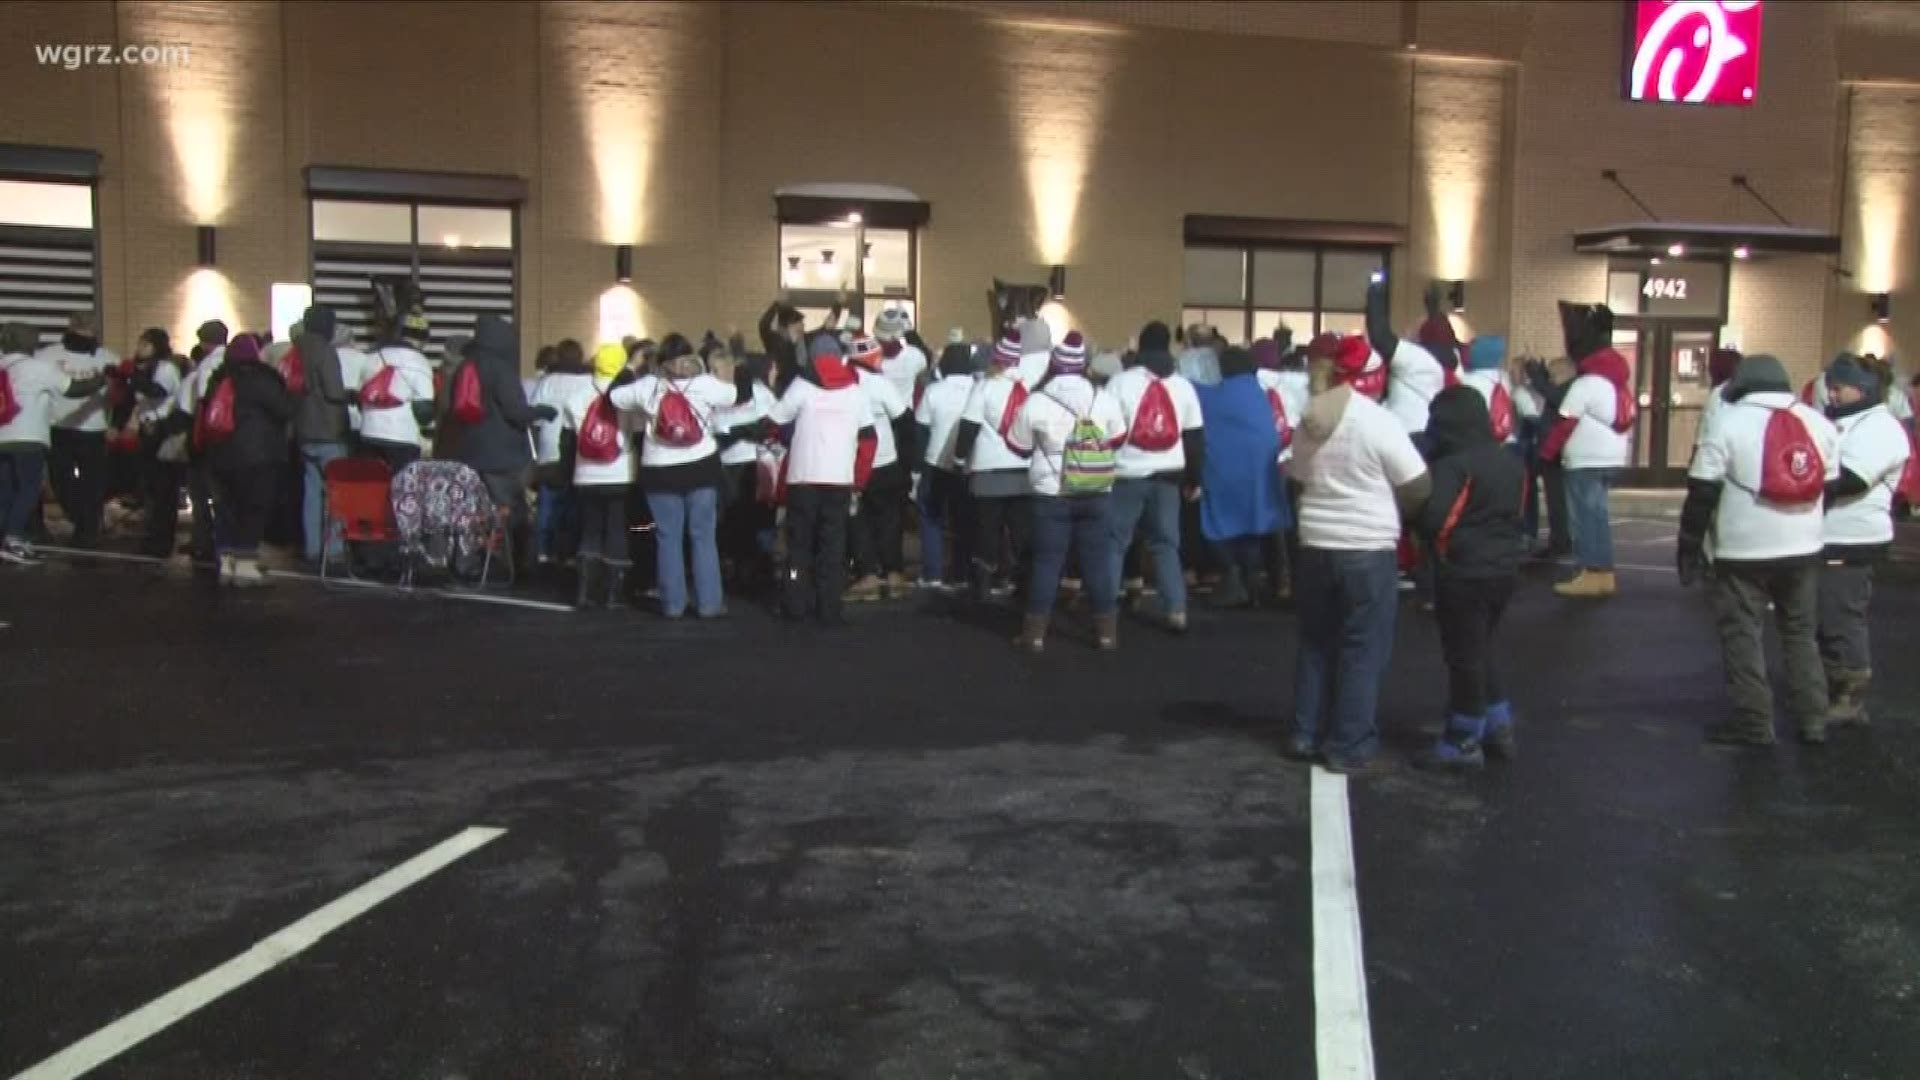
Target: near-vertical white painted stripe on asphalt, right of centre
{"x": 1343, "y": 1035}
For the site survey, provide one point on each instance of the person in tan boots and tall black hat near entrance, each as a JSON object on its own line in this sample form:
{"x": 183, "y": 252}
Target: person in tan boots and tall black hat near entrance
{"x": 1593, "y": 441}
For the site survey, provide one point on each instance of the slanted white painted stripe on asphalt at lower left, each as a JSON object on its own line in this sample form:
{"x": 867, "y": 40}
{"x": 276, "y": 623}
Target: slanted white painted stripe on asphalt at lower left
{"x": 270, "y": 954}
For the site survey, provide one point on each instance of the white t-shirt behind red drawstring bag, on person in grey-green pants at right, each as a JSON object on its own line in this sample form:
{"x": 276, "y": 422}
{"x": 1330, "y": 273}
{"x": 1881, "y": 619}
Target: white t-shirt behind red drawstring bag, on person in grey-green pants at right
{"x": 1744, "y": 528}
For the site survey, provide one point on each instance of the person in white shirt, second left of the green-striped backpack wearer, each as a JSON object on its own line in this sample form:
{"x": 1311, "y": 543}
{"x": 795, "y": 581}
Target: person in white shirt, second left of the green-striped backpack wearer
{"x": 944, "y": 497}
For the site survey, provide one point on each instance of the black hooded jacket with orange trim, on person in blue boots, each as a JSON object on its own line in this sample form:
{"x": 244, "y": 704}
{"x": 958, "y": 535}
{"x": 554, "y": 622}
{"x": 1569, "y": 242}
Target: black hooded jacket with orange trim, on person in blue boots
{"x": 1472, "y": 522}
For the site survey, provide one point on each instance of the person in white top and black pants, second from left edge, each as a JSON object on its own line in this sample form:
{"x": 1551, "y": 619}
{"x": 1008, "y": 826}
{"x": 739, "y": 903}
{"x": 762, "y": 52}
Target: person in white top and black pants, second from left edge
{"x": 78, "y": 454}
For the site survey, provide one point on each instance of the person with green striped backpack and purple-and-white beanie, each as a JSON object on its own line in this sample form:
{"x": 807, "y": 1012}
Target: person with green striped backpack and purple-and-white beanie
{"x": 1068, "y": 431}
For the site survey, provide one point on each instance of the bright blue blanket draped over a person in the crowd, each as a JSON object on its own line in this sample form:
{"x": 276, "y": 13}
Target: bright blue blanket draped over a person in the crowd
{"x": 1243, "y": 493}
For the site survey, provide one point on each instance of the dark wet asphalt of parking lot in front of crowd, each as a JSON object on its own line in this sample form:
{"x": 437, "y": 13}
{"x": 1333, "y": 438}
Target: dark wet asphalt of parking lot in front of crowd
{"x": 746, "y": 850}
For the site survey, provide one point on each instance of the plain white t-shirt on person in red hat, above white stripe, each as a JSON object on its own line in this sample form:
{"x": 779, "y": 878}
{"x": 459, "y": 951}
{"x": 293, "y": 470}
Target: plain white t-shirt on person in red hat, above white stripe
{"x": 1347, "y": 501}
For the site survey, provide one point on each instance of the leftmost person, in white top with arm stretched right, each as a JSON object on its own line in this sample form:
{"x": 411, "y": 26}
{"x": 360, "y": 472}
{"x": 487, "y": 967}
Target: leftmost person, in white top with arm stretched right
{"x": 36, "y": 391}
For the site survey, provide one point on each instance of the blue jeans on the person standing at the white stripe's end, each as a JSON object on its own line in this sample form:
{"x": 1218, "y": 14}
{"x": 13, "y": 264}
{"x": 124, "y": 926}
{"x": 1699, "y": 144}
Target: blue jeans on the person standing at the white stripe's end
{"x": 1347, "y": 604}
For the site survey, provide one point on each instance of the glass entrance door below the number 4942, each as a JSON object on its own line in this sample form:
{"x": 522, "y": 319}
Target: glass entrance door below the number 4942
{"x": 1673, "y": 383}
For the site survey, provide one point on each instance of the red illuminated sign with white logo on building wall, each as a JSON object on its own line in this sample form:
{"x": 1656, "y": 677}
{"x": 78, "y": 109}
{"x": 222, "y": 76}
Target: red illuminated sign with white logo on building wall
{"x": 1696, "y": 51}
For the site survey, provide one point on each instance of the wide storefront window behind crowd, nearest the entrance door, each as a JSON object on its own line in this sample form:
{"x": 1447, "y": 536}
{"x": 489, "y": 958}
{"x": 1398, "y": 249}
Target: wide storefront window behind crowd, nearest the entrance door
{"x": 1251, "y": 293}
